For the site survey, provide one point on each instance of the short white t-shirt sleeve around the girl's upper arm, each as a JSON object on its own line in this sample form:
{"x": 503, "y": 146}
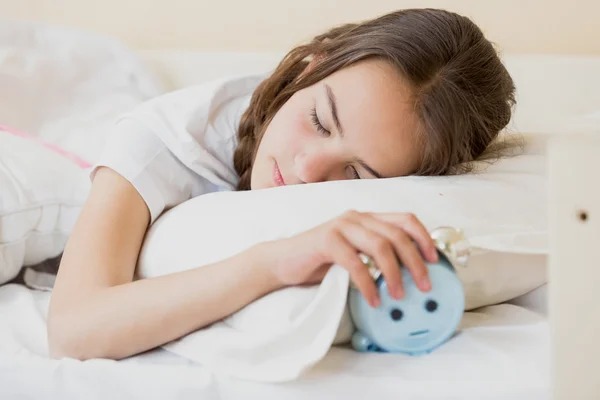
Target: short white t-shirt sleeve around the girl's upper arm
{"x": 162, "y": 180}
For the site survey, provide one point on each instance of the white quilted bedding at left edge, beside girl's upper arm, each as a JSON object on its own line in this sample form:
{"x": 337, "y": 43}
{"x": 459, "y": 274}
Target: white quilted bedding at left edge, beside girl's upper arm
{"x": 41, "y": 194}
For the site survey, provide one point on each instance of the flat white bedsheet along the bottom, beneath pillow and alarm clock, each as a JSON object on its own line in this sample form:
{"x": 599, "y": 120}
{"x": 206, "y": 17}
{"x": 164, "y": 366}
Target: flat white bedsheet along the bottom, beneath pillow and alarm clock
{"x": 502, "y": 352}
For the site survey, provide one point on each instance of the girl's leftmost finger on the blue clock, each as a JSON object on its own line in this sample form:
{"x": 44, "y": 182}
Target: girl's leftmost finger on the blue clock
{"x": 346, "y": 255}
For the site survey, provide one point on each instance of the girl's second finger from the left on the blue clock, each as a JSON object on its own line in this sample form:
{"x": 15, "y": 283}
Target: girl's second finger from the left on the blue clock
{"x": 380, "y": 248}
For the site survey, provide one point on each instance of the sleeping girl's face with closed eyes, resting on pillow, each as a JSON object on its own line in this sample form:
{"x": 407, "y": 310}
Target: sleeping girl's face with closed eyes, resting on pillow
{"x": 357, "y": 123}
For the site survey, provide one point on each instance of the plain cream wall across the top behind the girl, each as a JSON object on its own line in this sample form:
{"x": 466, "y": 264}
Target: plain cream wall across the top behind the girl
{"x": 517, "y": 26}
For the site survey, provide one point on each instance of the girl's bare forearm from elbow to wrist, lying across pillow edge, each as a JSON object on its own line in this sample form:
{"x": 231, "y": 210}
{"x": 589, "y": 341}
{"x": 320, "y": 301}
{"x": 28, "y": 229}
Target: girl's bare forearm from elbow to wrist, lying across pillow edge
{"x": 127, "y": 319}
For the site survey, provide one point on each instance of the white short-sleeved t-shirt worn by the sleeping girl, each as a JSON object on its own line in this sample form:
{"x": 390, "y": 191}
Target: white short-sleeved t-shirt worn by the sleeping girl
{"x": 181, "y": 144}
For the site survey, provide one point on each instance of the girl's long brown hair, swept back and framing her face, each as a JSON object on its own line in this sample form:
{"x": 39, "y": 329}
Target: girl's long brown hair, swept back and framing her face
{"x": 462, "y": 93}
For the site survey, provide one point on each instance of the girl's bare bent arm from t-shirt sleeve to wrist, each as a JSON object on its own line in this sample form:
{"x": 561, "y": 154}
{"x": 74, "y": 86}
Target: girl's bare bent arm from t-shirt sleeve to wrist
{"x": 96, "y": 311}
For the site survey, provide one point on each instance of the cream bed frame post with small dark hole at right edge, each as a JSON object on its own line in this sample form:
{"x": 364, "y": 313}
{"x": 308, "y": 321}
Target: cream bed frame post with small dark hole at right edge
{"x": 574, "y": 268}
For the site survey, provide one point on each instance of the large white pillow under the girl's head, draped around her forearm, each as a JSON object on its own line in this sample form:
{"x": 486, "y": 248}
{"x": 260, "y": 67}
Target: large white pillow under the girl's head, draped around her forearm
{"x": 502, "y": 211}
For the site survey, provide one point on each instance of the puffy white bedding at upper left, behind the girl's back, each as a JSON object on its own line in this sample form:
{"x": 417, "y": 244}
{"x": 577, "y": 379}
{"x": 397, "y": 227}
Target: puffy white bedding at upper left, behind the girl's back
{"x": 67, "y": 86}
